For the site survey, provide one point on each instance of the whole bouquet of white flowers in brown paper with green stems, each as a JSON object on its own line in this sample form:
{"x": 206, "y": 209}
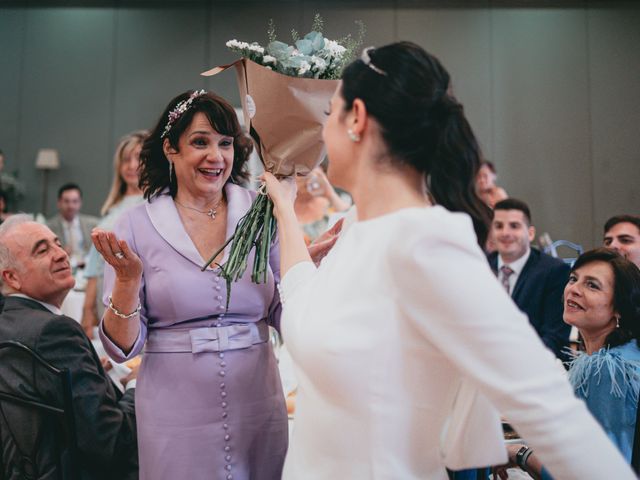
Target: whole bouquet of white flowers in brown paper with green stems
{"x": 284, "y": 91}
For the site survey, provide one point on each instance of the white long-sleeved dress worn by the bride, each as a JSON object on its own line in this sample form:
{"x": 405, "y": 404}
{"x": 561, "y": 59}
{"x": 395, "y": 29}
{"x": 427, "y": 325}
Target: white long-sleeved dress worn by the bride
{"x": 403, "y": 312}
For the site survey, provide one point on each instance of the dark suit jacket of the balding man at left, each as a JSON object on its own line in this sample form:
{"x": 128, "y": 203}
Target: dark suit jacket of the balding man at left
{"x": 105, "y": 419}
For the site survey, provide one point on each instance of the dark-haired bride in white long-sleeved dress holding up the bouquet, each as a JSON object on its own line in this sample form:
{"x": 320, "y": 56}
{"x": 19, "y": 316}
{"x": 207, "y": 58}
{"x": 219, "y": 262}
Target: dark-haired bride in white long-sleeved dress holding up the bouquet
{"x": 405, "y": 344}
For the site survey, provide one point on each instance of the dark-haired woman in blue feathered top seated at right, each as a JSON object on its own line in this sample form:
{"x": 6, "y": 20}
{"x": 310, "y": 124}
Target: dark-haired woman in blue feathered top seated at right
{"x": 602, "y": 299}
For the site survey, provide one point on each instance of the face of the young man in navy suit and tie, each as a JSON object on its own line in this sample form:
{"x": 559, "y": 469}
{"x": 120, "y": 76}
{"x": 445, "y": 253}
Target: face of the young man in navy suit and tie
{"x": 512, "y": 234}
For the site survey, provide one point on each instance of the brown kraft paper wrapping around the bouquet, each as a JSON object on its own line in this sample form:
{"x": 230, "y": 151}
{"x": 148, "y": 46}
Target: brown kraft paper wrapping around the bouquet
{"x": 284, "y": 115}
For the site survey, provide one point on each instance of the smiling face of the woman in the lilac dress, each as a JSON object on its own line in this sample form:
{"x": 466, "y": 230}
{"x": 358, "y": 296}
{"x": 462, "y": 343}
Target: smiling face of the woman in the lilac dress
{"x": 204, "y": 160}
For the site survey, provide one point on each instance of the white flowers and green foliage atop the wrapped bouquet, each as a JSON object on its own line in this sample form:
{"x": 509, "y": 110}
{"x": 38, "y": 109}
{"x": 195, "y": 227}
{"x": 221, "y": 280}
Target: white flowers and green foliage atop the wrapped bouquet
{"x": 312, "y": 56}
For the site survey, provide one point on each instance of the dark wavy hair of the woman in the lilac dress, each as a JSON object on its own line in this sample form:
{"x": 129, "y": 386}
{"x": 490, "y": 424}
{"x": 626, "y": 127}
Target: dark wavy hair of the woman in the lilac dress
{"x": 154, "y": 165}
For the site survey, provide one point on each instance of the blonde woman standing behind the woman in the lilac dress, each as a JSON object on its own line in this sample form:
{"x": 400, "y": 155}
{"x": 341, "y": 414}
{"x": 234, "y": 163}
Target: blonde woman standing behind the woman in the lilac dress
{"x": 123, "y": 195}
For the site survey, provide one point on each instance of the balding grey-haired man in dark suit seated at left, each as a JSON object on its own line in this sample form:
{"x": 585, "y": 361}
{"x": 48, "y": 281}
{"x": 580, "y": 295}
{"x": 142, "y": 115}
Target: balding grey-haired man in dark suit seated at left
{"x": 35, "y": 277}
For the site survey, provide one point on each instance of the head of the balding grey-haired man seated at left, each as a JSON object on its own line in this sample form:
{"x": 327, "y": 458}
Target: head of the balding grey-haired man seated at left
{"x": 43, "y": 271}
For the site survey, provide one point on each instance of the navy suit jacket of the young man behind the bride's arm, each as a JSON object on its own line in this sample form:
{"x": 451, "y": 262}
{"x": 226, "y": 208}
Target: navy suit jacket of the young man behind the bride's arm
{"x": 538, "y": 293}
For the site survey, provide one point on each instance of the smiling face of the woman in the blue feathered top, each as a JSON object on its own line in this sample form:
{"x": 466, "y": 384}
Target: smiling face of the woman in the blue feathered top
{"x": 588, "y": 299}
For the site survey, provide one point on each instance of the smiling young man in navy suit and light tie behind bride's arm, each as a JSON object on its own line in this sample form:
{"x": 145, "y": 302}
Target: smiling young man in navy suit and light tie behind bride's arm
{"x": 534, "y": 279}
